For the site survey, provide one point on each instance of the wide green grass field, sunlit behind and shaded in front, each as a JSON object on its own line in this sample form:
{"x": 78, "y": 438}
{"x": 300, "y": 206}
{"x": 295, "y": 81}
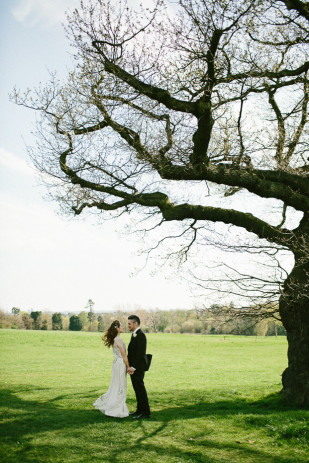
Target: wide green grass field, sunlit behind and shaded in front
{"x": 213, "y": 399}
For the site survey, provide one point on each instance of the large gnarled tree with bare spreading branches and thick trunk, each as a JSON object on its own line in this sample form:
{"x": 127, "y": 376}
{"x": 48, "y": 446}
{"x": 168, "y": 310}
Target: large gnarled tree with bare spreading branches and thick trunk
{"x": 163, "y": 100}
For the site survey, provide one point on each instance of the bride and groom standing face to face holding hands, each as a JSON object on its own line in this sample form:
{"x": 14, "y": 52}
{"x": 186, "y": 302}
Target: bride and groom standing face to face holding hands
{"x": 113, "y": 403}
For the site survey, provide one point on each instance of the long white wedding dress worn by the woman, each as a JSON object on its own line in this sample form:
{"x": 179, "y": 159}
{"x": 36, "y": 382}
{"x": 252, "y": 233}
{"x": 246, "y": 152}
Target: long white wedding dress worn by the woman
{"x": 113, "y": 403}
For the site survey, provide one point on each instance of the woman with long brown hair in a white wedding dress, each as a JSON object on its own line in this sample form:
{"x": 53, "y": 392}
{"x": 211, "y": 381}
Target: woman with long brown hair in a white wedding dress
{"x": 113, "y": 402}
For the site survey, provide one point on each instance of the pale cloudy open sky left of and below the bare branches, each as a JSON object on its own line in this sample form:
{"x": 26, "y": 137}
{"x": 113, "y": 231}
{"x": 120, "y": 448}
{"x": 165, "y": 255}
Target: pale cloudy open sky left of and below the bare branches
{"x": 48, "y": 262}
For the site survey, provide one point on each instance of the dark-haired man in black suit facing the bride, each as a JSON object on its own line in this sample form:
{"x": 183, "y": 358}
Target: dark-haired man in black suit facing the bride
{"x": 138, "y": 365}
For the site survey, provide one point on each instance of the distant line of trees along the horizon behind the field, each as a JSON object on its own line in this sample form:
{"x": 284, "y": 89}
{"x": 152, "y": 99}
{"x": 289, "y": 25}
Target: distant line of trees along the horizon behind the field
{"x": 206, "y": 321}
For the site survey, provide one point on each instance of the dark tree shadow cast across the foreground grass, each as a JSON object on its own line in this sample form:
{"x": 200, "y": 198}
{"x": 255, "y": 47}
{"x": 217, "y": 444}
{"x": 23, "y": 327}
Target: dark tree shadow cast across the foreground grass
{"x": 25, "y": 420}
